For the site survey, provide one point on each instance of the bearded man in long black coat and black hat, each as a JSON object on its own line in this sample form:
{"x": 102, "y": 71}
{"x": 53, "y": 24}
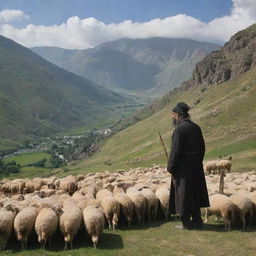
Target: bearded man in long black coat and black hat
{"x": 188, "y": 186}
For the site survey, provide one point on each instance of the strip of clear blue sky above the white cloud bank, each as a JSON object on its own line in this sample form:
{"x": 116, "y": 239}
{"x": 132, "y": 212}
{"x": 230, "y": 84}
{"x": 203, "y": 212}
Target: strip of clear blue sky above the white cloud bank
{"x": 49, "y": 12}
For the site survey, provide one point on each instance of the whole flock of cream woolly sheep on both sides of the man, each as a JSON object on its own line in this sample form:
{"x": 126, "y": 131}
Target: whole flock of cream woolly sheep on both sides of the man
{"x": 93, "y": 201}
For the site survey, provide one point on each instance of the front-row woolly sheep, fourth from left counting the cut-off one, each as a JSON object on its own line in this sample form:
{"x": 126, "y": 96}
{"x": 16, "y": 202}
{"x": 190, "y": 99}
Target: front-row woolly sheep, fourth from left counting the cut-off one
{"x": 70, "y": 222}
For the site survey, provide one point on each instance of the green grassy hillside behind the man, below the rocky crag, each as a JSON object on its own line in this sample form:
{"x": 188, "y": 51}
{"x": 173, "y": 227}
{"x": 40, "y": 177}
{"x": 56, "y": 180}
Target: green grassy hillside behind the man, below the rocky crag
{"x": 226, "y": 112}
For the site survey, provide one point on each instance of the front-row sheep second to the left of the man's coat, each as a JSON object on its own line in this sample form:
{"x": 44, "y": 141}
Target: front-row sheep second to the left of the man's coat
{"x": 152, "y": 203}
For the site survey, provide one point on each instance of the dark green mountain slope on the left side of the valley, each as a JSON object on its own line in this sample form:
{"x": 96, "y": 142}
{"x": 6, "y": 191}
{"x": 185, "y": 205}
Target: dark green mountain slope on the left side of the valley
{"x": 38, "y": 98}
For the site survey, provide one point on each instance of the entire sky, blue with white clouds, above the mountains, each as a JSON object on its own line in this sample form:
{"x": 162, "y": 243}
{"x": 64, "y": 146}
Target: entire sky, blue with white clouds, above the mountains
{"x": 81, "y": 24}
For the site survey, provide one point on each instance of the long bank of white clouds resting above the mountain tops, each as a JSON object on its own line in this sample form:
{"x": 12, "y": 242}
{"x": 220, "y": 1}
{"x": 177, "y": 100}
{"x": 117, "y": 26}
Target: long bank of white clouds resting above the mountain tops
{"x": 84, "y": 33}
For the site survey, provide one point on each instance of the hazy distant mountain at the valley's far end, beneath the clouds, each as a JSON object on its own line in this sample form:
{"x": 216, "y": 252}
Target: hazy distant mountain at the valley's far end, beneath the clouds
{"x": 149, "y": 67}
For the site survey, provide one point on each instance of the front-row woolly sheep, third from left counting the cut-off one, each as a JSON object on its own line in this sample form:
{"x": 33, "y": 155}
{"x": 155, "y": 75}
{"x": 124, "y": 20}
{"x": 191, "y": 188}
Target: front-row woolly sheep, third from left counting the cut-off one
{"x": 46, "y": 224}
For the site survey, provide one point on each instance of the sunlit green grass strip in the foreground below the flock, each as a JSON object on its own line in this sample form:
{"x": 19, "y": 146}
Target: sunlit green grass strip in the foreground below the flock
{"x": 159, "y": 238}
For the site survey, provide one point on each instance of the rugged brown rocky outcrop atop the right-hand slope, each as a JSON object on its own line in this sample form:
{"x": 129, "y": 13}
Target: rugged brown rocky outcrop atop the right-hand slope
{"x": 234, "y": 58}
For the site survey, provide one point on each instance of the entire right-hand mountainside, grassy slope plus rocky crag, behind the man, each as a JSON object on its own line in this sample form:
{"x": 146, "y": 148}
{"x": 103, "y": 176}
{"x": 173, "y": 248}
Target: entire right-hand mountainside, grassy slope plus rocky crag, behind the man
{"x": 225, "y": 109}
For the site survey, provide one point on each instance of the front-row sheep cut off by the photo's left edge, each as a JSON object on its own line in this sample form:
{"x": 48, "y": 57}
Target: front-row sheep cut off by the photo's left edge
{"x": 6, "y": 225}
